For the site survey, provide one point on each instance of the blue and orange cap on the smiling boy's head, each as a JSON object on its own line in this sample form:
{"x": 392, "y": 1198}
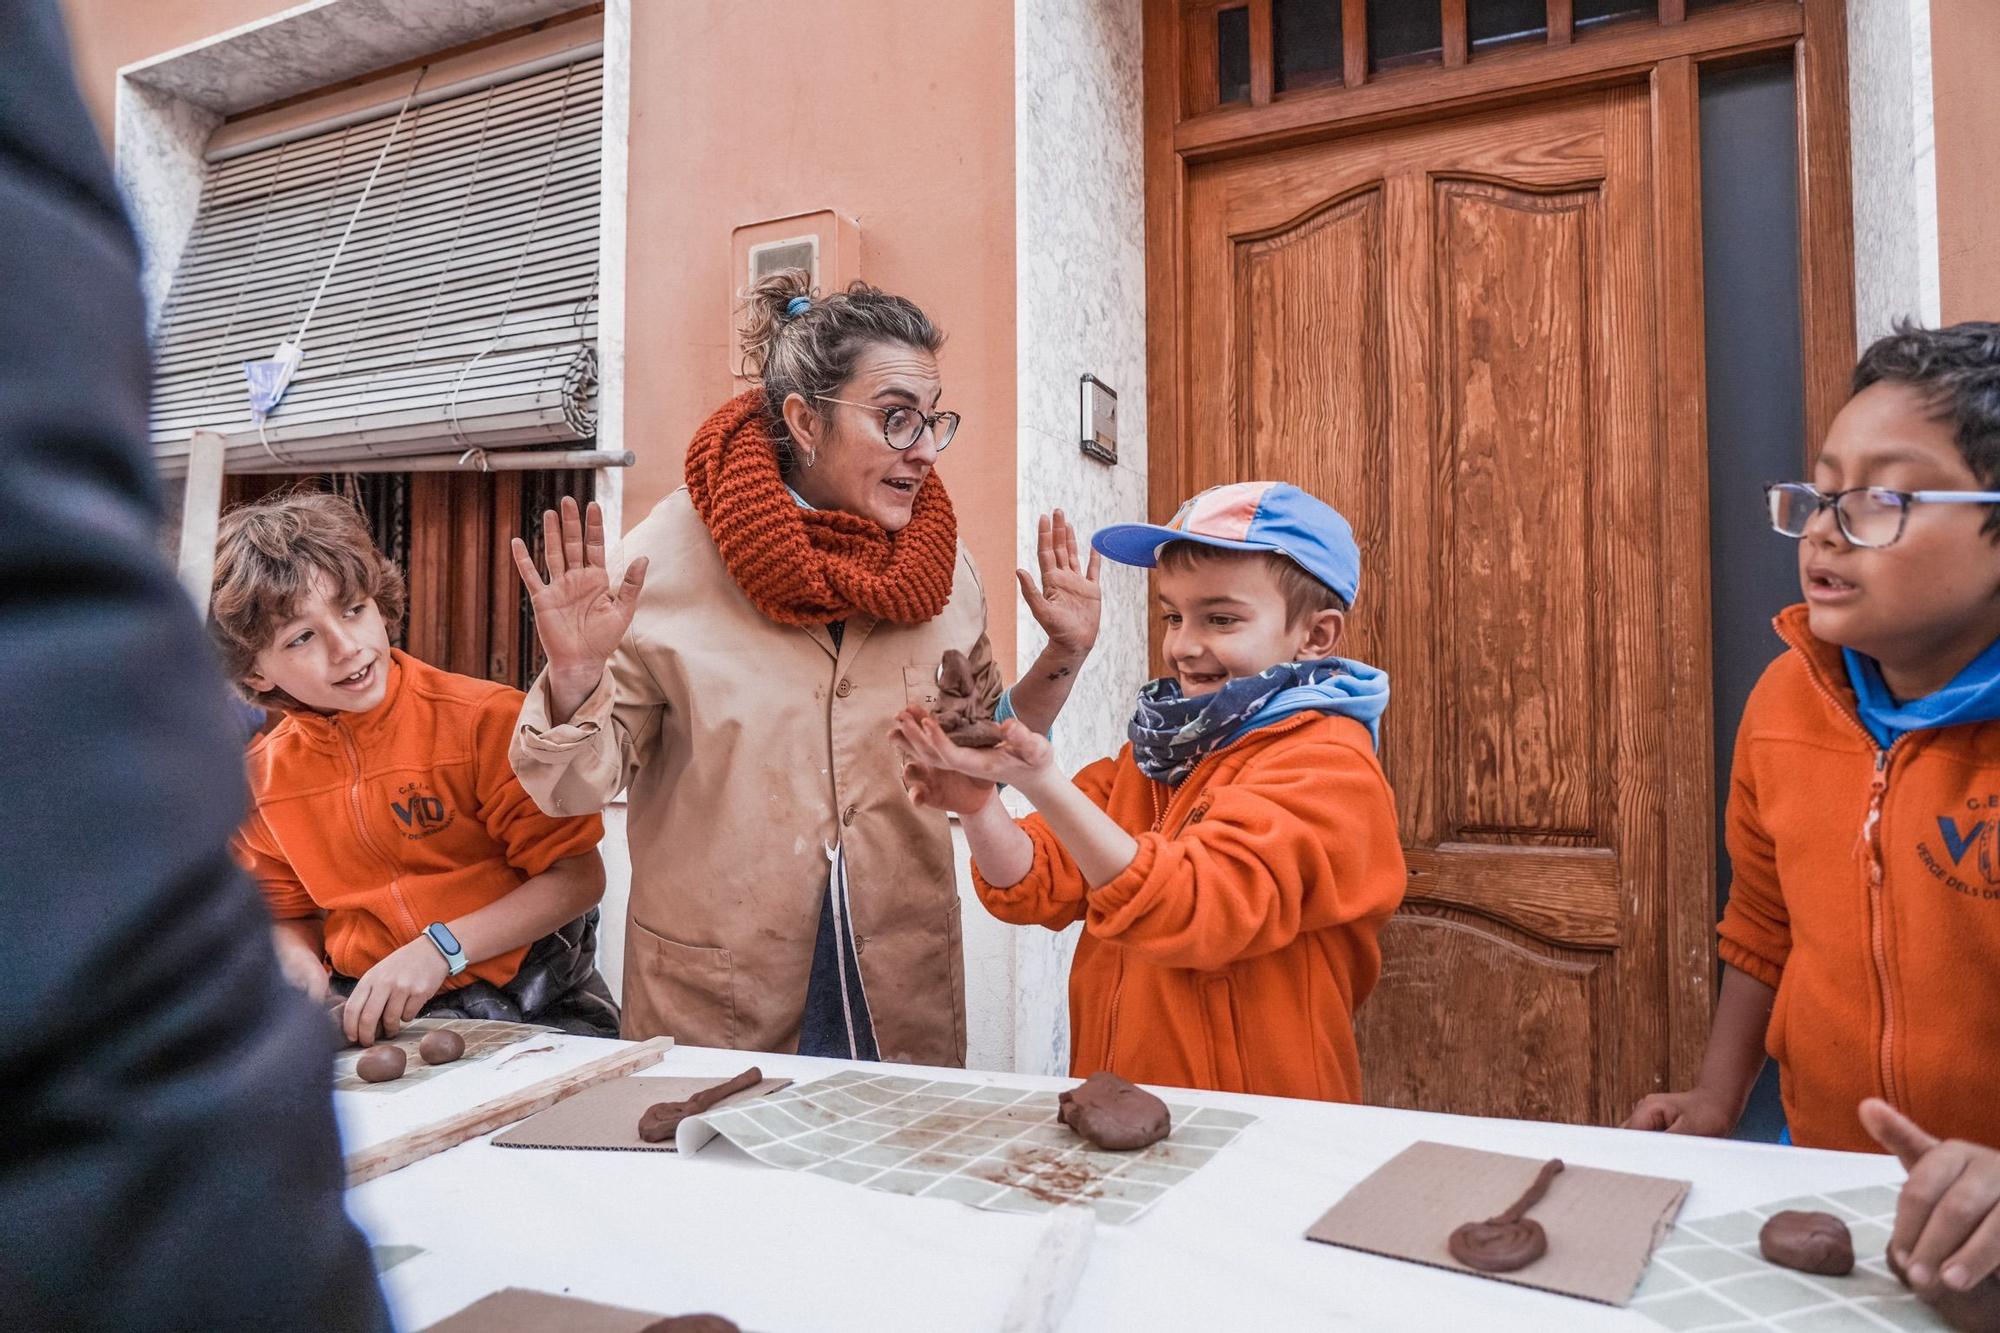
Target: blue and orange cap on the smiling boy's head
{"x": 1249, "y": 517}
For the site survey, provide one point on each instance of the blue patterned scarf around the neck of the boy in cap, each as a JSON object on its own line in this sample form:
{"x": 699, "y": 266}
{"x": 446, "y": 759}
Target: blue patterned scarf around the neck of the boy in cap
{"x": 1171, "y": 732}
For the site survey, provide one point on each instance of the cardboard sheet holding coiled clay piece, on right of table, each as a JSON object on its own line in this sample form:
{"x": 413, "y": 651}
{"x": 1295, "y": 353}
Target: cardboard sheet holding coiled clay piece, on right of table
{"x": 1603, "y": 1226}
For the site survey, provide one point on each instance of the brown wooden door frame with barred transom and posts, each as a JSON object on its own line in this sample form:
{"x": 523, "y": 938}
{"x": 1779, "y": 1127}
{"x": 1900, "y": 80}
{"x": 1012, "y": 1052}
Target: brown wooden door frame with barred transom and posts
{"x": 1183, "y": 127}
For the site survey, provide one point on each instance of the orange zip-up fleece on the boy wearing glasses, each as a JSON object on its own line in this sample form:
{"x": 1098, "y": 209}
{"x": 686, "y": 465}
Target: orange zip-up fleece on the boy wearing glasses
{"x": 1867, "y": 890}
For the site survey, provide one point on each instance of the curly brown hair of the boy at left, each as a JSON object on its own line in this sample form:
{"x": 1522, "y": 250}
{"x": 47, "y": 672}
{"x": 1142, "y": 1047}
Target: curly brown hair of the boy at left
{"x": 269, "y": 559}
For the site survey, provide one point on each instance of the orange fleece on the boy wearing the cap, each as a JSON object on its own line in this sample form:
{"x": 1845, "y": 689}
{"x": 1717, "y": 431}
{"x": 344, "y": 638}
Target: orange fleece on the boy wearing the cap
{"x": 1237, "y": 946}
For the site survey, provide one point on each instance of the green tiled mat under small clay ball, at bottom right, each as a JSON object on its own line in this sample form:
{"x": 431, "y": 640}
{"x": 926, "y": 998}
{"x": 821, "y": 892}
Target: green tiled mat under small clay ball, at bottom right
{"x": 1709, "y": 1276}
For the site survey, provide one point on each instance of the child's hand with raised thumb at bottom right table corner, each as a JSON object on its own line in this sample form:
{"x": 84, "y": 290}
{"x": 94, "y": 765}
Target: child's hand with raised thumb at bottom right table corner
{"x": 1949, "y": 1214}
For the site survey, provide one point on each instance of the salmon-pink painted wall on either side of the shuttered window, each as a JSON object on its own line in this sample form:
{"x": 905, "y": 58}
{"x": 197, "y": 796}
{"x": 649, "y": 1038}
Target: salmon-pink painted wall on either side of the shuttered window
{"x": 895, "y": 113}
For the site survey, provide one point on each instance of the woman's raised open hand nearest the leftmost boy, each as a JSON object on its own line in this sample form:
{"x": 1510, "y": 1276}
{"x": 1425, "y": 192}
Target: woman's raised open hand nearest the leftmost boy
{"x": 577, "y": 611}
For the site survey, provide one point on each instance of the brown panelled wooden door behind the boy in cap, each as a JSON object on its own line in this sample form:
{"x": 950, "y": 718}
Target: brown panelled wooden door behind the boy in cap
{"x": 1451, "y": 333}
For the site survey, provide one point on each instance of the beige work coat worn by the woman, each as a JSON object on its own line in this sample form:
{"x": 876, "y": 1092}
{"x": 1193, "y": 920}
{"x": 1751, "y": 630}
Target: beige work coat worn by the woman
{"x": 749, "y": 750}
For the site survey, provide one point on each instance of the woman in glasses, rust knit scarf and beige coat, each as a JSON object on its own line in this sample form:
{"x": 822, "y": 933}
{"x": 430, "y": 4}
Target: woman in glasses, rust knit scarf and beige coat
{"x": 785, "y": 890}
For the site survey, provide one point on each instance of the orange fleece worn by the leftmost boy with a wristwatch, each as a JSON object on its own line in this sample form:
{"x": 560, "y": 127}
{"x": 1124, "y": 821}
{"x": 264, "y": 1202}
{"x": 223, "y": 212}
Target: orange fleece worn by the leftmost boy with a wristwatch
{"x": 399, "y": 818}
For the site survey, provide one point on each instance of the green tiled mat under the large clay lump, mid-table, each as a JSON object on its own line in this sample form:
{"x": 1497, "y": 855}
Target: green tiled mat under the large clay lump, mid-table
{"x": 989, "y": 1146}
